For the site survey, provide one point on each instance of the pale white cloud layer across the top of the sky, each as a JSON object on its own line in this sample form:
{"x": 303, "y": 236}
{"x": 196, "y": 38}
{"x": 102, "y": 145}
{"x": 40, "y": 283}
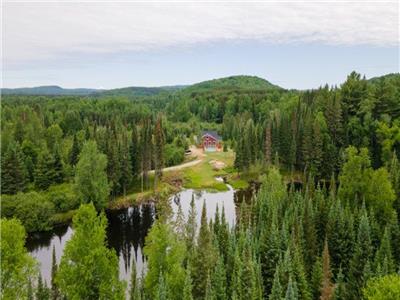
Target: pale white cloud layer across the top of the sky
{"x": 40, "y": 31}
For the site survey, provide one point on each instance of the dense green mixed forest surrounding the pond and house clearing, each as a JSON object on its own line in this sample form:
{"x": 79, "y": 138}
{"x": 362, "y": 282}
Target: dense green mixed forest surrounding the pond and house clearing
{"x": 338, "y": 237}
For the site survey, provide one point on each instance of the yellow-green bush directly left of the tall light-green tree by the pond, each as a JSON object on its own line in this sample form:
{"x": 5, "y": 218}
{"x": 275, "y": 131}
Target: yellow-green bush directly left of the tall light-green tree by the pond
{"x": 63, "y": 197}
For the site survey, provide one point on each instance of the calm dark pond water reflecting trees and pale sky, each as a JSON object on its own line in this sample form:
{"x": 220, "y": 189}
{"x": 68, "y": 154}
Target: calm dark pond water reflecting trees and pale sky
{"x": 127, "y": 229}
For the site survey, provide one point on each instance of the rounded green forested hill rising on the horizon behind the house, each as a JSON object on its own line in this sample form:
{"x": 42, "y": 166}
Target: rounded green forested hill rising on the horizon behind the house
{"x": 232, "y": 82}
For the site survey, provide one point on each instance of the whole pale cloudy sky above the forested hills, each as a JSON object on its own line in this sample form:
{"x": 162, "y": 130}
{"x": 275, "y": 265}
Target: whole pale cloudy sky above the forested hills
{"x": 104, "y": 44}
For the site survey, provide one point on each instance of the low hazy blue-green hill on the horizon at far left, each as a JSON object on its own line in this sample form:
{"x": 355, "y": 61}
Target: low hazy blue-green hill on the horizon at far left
{"x": 48, "y": 90}
